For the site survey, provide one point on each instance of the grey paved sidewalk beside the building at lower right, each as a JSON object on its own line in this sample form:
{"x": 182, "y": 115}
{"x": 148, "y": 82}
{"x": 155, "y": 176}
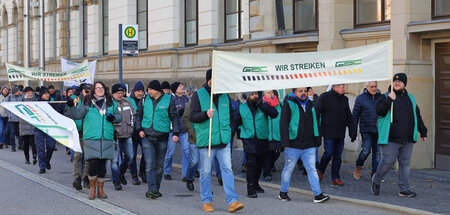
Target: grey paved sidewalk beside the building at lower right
{"x": 432, "y": 186}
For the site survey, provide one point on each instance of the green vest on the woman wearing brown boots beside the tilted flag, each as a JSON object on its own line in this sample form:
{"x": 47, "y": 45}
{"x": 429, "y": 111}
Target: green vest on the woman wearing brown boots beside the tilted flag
{"x": 94, "y": 122}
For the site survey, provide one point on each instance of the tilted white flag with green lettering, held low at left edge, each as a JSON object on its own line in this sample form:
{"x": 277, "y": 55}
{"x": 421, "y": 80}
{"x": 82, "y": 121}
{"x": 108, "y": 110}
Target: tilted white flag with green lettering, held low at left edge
{"x": 42, "y": 116}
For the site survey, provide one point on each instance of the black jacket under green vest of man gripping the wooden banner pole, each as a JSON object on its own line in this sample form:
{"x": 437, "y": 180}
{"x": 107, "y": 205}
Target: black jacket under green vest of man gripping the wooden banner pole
{"x": 198, "y": 116}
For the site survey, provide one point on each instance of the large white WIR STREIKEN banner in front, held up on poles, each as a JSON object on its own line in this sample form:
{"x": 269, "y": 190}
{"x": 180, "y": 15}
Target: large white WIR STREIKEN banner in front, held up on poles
{"x": 243, "y": 72}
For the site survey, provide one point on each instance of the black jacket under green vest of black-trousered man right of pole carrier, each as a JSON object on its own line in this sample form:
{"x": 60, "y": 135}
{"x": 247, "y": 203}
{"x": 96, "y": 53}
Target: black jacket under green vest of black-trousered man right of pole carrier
{"x": 255, "y": 145}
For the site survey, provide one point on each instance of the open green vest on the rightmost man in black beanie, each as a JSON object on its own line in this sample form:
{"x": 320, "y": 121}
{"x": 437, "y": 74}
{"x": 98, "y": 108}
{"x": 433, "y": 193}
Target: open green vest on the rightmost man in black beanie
{"x": 384, "y": 123}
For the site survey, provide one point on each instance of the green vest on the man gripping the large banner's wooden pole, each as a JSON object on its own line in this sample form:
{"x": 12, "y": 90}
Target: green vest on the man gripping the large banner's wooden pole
{"x": 220, "y": 129}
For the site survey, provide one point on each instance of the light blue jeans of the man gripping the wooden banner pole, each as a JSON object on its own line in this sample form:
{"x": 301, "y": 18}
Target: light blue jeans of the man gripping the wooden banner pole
{"x": 224, "y": 157}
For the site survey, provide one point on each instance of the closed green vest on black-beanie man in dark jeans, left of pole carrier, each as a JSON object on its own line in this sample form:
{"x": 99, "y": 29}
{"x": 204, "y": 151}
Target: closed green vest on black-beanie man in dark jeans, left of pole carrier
{"x": 159, "y": 117}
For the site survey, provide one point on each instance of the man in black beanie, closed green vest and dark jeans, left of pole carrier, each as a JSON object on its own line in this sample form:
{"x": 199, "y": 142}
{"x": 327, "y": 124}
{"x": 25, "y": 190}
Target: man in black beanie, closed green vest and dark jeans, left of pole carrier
{"x": 154, "y": 114}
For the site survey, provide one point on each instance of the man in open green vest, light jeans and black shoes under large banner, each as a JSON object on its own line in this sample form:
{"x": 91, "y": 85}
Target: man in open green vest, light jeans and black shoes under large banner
{"x": 299, "y": 132}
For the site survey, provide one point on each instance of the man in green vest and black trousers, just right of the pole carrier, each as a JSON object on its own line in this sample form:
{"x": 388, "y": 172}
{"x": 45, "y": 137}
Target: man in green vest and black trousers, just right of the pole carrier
{"x": 252, "y": 119}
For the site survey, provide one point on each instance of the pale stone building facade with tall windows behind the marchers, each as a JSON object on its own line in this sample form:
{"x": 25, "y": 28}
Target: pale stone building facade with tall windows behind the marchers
{"x": 177, "y": 38}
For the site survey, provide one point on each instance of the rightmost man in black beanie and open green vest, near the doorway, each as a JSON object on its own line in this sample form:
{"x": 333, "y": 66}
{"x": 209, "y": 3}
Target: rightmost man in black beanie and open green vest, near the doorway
{"x": 397, "y": 136}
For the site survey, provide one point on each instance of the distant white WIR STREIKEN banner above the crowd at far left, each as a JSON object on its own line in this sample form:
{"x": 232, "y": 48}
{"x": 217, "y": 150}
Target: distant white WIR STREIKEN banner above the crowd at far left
{"x": 17, "y": 73}
